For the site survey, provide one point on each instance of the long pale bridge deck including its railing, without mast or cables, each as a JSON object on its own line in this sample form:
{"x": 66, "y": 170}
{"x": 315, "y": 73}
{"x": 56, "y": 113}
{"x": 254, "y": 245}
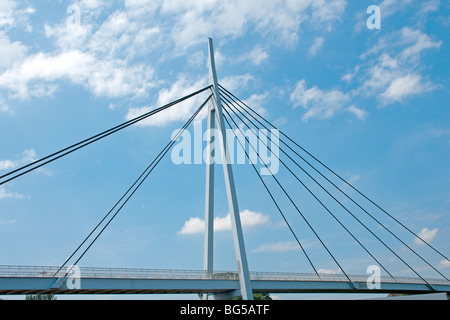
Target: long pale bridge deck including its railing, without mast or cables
{"x": 32, "y": 280}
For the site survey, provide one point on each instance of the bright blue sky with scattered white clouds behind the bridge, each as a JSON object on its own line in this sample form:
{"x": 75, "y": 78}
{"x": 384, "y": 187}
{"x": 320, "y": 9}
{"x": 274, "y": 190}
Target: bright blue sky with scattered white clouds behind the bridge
{"x": 371, "y": 104}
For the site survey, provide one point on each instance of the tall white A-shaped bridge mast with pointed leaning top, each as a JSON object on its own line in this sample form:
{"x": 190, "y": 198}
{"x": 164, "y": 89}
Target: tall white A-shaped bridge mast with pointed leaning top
{"x": 215, "y": 112}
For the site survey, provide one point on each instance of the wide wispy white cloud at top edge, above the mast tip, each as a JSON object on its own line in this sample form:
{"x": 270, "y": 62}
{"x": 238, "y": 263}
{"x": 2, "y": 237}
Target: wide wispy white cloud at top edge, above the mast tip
{"x": 279, "y": 20}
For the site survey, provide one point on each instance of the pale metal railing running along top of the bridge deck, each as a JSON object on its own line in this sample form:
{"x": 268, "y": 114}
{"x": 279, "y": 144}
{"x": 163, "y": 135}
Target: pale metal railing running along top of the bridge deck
{"x": 137, "y": 273}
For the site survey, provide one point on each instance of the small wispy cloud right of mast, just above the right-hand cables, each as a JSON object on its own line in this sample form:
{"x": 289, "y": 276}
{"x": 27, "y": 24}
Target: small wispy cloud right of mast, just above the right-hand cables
{"x": 318, "y": 103}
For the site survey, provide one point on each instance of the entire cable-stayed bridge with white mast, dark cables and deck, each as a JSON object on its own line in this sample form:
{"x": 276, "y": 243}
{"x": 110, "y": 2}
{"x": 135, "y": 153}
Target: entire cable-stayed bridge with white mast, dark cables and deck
{"x": 226, "y": 110}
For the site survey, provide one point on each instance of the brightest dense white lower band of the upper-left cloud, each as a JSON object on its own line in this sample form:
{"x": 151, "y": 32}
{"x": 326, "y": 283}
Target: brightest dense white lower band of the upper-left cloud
{"x": 110, "y": 78}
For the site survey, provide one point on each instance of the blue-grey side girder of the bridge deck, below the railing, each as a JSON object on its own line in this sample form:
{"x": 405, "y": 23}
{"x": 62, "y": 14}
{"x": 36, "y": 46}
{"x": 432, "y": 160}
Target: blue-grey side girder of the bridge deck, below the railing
{"x": 23, "y": 286}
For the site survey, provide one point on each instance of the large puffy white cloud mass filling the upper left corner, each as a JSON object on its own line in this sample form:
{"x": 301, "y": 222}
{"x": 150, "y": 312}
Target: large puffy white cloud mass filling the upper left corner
{"x": 92, "y": 55}
